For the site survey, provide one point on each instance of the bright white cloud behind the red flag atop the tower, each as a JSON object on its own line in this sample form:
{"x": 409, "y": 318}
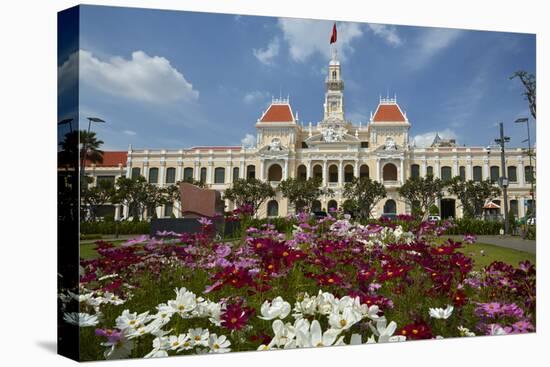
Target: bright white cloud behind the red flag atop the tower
{"x": 306, "y": 37}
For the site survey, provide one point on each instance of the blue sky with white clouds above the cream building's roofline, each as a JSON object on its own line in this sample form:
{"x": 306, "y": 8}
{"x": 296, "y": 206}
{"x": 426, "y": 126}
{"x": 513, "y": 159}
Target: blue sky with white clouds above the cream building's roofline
{"x": 172, "y": 79}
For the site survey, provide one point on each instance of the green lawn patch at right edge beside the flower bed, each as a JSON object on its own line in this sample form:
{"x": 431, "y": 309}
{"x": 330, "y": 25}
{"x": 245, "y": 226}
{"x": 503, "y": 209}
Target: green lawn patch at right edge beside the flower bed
{"x": 494, "y": 253}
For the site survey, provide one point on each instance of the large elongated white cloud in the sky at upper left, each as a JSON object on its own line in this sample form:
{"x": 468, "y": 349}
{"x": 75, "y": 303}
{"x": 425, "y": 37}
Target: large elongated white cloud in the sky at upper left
{"x": 142, "y": 77}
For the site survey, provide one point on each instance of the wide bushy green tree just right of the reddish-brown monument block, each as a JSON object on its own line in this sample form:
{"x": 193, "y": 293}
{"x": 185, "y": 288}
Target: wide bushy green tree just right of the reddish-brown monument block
{"x": 249, "y": 191}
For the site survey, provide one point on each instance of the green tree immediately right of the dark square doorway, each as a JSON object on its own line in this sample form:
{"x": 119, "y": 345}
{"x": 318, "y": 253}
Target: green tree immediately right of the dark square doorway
{"x": 473, "y": 194}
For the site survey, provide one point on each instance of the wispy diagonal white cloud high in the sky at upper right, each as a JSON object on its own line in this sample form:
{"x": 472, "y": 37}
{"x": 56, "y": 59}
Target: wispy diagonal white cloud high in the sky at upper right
{"x": 430, "y": 43}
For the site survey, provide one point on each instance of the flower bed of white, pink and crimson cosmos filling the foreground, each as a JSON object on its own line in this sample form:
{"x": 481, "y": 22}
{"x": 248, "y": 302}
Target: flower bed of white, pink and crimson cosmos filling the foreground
{"x": 330, "y": 282}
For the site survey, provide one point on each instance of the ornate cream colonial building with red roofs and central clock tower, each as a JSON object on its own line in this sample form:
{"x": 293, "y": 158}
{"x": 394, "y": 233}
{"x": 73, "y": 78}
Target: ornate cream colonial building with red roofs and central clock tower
{"x": 334, "y": 149}
